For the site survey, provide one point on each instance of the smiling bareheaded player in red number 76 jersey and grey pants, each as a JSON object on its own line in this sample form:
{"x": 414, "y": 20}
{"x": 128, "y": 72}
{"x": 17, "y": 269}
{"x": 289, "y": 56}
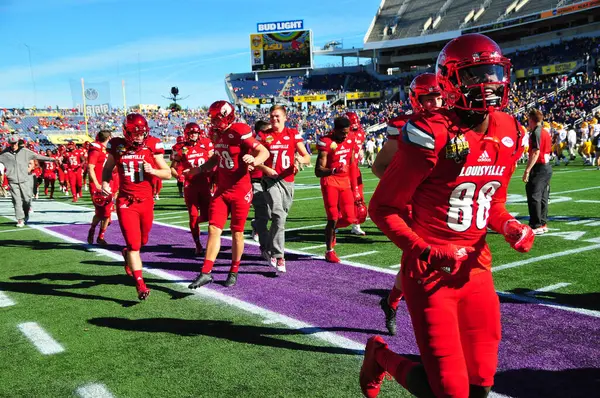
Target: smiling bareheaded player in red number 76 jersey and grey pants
{"x": 285, "y": 145}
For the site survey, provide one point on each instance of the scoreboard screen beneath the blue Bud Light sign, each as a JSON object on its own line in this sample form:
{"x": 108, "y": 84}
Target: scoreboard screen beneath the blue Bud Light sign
{"x": 281, "y": 50}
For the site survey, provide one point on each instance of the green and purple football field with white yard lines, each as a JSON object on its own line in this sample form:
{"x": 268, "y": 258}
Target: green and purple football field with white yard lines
{"x": 297, "y": 335}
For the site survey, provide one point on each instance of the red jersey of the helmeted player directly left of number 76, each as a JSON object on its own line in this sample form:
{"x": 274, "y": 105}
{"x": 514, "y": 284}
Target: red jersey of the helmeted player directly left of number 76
{"x": 230, "y": 146}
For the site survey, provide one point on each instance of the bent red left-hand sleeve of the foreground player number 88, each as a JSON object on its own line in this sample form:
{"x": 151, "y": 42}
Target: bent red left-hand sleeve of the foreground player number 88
{"x": 395, "y": 191}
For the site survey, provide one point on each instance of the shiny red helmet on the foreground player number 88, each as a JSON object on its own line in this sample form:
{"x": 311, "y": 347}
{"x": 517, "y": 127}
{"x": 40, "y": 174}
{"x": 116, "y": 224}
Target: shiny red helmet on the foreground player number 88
{"x": 473, "y": 74}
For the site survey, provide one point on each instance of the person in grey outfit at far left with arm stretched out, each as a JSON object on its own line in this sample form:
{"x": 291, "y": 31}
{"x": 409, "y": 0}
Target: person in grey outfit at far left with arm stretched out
{"x": 16, "y": 159}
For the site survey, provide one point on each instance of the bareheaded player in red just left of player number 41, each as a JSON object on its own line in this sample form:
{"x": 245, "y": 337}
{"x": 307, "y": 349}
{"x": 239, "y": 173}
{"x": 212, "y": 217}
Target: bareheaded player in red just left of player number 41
{"x": 102, "y": 203}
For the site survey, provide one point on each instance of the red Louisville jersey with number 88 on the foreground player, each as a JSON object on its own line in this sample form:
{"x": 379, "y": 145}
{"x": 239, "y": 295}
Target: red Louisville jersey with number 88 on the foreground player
{"x": 453, "y": 201}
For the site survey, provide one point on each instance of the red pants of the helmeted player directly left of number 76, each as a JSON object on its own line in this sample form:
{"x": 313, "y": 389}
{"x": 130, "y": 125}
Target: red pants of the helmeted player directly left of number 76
{"x": 237, "y": 201}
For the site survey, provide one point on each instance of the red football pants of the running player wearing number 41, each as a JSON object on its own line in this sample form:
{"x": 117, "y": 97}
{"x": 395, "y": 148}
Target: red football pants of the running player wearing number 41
{"x": 135, "y": 220}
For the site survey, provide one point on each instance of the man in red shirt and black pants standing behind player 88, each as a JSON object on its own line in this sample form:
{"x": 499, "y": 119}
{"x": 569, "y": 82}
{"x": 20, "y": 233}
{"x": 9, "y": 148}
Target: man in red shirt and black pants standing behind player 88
{"x": 538, "y": 173}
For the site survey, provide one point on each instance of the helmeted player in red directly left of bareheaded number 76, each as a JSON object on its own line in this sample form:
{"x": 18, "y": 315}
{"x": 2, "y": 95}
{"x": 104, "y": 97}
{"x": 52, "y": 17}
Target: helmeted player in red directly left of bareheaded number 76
{"x": 235, "y": 152}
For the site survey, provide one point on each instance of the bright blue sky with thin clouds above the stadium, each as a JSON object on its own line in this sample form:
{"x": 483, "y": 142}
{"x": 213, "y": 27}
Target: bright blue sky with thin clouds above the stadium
{"x": 189, "y": 44}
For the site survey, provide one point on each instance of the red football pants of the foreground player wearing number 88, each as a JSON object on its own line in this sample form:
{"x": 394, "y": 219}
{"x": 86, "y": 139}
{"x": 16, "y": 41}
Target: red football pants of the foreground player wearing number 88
{"x": 457, "y": 328}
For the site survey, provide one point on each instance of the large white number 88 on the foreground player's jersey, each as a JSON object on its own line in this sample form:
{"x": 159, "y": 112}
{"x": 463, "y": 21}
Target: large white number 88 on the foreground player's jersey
{"x": 460, "y": 213}
